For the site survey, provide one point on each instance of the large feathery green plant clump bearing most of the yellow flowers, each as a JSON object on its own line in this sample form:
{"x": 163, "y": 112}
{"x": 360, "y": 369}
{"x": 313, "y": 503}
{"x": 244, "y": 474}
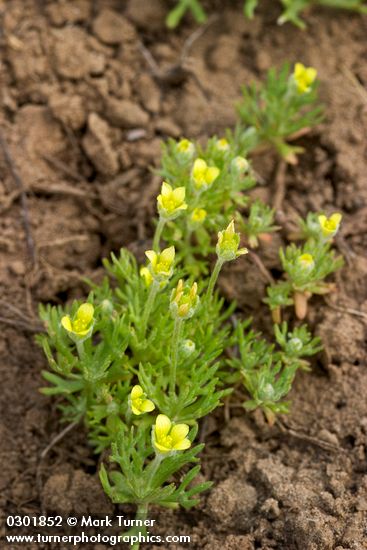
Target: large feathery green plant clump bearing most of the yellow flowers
{"x": 143, "y": 359}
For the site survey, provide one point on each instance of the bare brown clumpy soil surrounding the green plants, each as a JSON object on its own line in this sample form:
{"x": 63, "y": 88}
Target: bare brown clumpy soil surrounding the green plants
{"x": 83, "y": 119}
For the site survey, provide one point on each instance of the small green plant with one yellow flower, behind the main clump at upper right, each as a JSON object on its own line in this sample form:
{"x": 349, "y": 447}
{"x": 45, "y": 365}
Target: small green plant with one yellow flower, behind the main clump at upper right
{"x": 282, "y": 108}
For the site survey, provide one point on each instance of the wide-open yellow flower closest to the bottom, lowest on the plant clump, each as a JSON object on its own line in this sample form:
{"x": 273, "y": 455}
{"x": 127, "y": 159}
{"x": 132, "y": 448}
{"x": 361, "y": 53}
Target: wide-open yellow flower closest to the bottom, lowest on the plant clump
{"x": 168, "y": 438}
